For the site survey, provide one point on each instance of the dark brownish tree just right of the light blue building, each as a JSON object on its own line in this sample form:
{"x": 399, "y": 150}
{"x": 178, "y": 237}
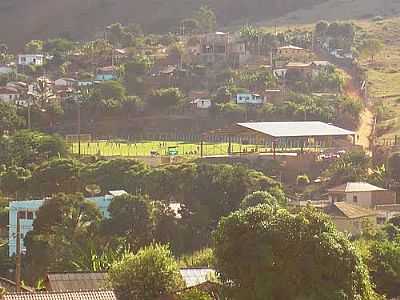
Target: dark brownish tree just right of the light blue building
{"x": 130, "y": 220}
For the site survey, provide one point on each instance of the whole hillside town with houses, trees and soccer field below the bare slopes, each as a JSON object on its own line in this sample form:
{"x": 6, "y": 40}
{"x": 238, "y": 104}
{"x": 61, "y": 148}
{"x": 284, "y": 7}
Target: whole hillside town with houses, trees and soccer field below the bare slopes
{"x": 200, "y": 164}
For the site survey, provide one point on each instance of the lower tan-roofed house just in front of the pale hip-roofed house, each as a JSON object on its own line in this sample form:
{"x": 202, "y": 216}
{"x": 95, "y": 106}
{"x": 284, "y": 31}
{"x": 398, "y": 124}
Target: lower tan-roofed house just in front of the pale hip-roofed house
{"x": 351, "y": 218}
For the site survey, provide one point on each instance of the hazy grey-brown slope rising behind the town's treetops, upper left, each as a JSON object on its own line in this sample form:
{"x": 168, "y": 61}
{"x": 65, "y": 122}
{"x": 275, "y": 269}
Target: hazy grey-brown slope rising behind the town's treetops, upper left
{"x": 22, "y": 20}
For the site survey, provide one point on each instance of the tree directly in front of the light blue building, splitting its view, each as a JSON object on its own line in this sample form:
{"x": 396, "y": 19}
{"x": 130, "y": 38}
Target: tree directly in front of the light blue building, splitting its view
{"x": 63, "y": 224}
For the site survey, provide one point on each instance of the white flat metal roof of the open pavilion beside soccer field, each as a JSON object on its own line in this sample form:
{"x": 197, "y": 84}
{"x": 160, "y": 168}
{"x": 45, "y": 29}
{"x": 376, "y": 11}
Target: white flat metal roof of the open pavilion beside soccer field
{"x": 296, "y": 129}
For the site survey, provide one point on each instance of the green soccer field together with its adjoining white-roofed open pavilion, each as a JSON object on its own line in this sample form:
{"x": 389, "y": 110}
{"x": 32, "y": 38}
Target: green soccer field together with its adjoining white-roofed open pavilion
{"x": 239, "y": 139}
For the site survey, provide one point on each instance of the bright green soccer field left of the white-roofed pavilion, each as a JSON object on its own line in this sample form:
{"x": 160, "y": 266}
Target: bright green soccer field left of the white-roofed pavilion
{"x": 149, "y": 148}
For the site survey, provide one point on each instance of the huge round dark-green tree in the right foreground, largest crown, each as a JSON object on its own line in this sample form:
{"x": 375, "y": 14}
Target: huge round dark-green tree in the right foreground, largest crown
{"x": 258, "y": 251}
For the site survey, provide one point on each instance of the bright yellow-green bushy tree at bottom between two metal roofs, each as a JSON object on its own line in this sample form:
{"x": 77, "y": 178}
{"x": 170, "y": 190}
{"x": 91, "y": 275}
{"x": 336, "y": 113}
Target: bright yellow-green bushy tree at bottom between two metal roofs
{"x": 147, "y": 275}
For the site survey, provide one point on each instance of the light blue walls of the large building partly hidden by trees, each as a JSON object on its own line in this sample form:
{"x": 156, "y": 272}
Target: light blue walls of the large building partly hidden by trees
{"x": 30, "y": 208}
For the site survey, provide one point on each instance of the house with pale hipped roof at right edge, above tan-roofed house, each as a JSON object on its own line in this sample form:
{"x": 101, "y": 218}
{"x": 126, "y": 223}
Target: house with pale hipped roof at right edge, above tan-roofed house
{"x": 362, "y": 194}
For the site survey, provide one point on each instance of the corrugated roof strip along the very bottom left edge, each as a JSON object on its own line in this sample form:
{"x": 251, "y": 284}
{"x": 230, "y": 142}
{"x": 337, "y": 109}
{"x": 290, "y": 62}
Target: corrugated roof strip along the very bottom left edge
{"x": 77, "y": 295}
